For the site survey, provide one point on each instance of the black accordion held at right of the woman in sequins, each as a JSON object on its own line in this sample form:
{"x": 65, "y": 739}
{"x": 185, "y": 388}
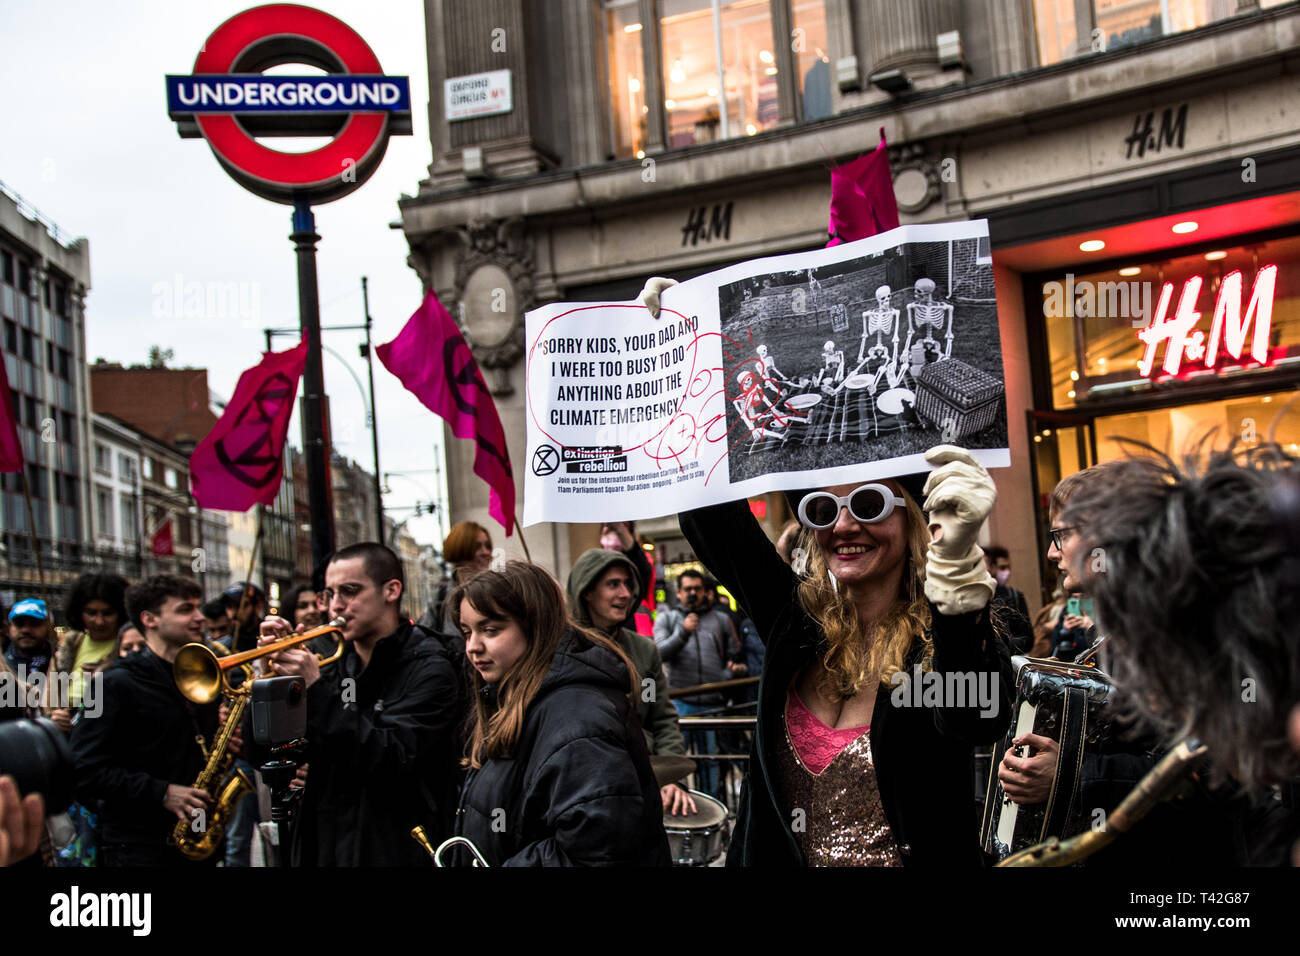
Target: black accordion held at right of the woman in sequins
{"x": 1067, "y": 703}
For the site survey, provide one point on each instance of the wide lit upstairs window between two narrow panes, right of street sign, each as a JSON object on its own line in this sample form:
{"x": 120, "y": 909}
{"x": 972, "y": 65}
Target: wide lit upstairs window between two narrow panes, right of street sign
{"x": 707, "y": 101}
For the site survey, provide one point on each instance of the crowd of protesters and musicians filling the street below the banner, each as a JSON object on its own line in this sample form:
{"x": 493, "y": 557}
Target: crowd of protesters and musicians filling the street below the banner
{"x": 535, "y": 719}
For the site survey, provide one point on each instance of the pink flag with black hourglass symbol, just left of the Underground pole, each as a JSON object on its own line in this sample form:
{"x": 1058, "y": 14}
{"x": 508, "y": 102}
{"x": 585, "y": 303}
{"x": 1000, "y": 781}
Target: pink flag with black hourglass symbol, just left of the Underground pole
{"x": 241, "y": 462}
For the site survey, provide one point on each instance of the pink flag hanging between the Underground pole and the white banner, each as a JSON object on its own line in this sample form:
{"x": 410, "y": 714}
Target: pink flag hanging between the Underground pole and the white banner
{"x": 435, "y": 365}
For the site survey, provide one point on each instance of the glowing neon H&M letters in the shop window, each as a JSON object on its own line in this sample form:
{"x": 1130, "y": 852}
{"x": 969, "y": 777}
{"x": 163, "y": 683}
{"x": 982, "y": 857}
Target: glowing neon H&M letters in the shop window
{"x": 1229, "y": 327}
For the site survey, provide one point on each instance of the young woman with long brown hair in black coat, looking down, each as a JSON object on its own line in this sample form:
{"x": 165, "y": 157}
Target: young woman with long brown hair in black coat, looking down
{"x": 560, "y": 775}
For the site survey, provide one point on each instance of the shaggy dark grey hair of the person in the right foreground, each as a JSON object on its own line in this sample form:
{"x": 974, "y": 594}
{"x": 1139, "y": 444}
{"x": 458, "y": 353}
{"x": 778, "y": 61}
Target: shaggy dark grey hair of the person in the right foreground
{"x": 1198, "y": 586}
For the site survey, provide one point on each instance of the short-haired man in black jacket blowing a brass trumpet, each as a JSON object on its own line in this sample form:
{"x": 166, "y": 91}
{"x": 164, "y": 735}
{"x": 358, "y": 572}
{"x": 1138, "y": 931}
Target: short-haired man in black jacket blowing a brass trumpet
{"x": 382, "y": 724}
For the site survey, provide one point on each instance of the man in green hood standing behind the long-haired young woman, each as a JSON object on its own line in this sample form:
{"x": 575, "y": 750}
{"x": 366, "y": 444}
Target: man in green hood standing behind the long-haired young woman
{"x": 603, "y": 591}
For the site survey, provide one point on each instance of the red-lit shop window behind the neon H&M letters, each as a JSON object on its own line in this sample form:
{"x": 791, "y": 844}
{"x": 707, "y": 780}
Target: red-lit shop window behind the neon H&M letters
{"x": 1103, "y": 313}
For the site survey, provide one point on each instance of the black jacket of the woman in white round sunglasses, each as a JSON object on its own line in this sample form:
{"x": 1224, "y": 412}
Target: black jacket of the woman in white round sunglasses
{"x": 924, "y": 756}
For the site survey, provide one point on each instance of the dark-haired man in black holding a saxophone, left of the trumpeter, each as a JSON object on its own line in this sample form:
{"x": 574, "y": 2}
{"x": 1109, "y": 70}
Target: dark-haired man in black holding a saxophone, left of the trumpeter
{"x": 137, "y": 760}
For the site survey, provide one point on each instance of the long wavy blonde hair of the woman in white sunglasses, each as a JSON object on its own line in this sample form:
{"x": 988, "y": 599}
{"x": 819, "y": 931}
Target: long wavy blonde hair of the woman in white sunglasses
{"x": 855, "y": 657}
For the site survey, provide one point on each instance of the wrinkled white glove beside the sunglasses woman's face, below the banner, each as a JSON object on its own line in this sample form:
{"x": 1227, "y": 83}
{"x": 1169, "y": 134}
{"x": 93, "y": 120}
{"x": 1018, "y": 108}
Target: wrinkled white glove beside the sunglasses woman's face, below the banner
{"x": 959, "y": 498}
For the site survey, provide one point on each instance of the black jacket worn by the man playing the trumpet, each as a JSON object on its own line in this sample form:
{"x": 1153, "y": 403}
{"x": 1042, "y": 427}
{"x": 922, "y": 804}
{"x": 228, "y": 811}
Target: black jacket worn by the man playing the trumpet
{"x": 383, "y": 755}
